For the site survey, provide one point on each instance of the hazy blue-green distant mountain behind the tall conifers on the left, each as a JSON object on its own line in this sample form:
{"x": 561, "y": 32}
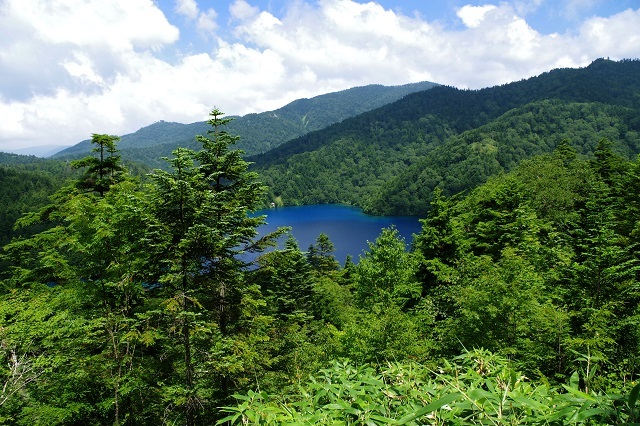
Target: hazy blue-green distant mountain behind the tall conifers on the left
{"x": 259, "y": 132}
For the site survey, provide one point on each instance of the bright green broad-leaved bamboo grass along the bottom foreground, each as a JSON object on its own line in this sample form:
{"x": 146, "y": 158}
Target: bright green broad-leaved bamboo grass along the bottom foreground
{"x": 476, "y": 388}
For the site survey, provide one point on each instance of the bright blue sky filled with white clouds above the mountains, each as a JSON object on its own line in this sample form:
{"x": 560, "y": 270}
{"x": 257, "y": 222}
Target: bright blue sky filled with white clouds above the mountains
{"x": 70, "y": 68}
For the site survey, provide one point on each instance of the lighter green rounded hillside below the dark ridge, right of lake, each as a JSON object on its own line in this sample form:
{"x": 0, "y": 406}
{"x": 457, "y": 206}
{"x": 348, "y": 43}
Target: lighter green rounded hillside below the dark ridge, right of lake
{"x": 470, "y": 158}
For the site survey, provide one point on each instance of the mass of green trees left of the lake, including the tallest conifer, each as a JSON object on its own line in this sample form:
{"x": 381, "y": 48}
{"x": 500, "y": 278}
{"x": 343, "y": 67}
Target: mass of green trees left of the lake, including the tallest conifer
{"x": 158, "y": 289}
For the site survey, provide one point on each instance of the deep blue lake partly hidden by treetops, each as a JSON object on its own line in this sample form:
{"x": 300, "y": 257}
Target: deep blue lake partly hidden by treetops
{"x": 347, "y": 227}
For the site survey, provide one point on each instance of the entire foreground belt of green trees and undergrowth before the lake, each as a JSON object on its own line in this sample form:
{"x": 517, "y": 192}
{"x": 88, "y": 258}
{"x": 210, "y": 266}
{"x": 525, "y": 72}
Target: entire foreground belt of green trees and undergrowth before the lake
{"x": 135, "y": 305}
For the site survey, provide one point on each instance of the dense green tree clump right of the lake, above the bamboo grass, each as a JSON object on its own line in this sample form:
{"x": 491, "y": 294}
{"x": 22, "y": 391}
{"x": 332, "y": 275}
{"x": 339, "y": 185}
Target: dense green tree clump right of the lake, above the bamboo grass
{"x": 532, "y": 265}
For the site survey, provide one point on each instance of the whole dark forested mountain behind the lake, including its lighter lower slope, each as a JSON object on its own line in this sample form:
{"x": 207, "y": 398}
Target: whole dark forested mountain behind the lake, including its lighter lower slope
{"x": 357, "y": 160}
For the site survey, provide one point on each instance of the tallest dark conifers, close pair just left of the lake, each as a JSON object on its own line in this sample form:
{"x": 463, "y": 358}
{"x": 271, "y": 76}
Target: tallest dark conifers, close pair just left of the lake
{"x": 202, "y": 232}
